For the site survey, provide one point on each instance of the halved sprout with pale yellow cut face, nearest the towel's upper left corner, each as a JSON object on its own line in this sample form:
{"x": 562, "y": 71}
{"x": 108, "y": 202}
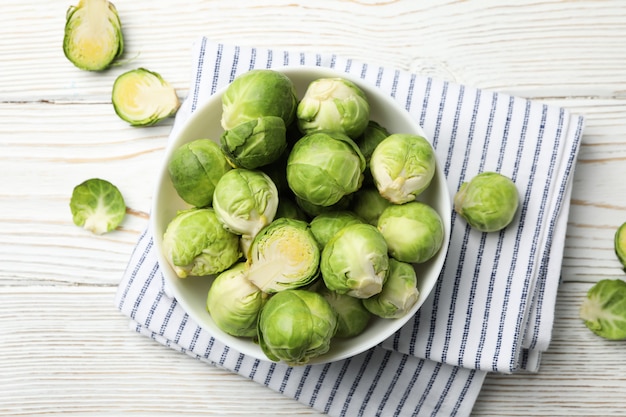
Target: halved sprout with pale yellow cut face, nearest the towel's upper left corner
{"x": 143, "y": 98}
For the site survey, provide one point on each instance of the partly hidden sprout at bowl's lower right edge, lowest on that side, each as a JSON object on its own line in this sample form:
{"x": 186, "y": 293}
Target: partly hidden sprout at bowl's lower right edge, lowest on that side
{"x": 399, "y": 293}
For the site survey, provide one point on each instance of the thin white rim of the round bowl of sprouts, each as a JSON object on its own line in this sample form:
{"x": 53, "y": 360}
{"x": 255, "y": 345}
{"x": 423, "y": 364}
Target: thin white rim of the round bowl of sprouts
{"x": 246, "y": 346}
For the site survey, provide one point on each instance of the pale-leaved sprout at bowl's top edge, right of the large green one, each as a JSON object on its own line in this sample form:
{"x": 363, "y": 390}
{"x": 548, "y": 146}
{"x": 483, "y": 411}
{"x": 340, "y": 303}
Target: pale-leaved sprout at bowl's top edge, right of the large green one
{"x": 333, "y": 104}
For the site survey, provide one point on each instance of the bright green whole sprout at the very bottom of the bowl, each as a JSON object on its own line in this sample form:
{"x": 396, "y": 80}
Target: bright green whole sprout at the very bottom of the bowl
{"x": 296, "y": 326}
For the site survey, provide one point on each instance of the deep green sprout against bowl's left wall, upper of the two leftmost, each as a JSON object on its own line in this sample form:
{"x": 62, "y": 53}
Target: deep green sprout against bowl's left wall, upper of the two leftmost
{"x": 195, "y": 169}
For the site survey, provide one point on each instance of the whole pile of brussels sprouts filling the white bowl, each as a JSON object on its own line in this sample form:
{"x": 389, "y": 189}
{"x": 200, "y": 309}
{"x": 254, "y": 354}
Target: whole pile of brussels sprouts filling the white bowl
{"x": 306, "y": 213}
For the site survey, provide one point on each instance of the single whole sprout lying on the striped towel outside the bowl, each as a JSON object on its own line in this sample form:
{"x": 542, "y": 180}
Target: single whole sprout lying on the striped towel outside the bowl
{"x": 488, "y": 202}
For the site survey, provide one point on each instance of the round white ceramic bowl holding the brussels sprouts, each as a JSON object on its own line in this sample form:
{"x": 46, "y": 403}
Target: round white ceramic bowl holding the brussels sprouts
{"x": 191, "y": 292}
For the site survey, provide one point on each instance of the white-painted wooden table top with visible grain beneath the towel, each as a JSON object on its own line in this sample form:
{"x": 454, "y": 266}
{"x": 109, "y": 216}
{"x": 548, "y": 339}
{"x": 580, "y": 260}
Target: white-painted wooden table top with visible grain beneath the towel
{"x": 65, "y": 349}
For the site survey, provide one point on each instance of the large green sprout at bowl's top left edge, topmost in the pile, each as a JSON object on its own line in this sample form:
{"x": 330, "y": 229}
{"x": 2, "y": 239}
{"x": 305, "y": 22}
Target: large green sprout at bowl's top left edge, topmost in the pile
{"x": 257, "y": 93}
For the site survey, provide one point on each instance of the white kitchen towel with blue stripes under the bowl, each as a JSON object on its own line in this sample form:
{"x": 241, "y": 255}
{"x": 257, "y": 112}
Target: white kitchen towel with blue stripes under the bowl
{"x": 492, "y": 309}
